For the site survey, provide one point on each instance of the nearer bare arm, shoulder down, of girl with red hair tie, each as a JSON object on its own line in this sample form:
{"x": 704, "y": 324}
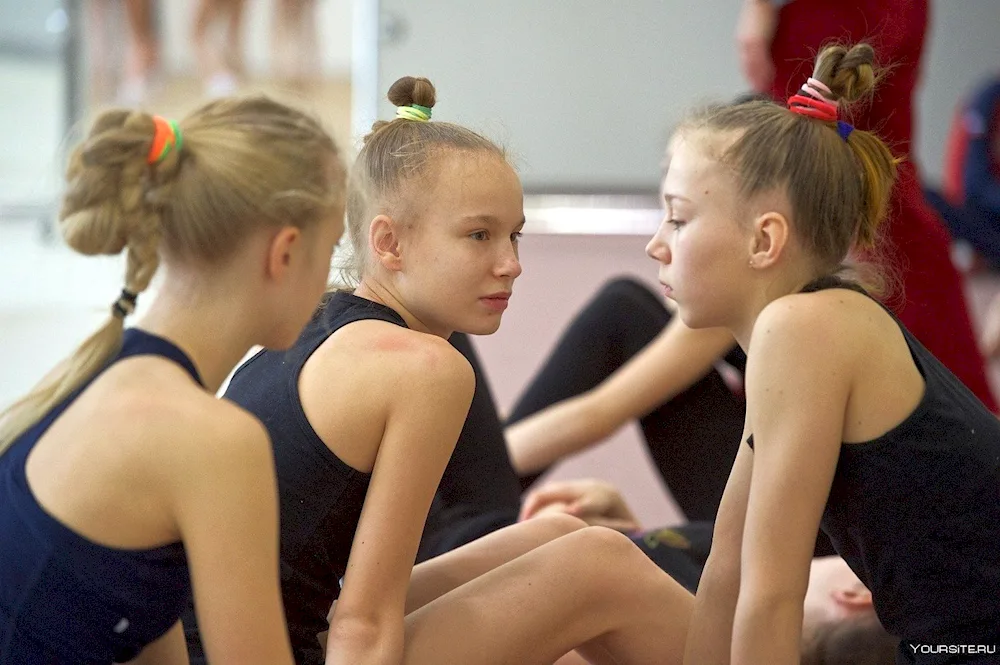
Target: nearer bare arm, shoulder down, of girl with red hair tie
{"x": 797, "y": 400}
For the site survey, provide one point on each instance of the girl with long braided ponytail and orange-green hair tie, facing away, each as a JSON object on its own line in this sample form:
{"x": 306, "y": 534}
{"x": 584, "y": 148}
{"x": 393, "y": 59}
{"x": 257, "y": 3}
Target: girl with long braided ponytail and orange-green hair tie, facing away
{"x": 124, "y": 482}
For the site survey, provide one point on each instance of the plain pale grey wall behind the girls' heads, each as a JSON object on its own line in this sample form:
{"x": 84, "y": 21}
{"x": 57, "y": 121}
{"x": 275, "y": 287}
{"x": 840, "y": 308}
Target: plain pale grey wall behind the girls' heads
{"x": 585, "y": 92}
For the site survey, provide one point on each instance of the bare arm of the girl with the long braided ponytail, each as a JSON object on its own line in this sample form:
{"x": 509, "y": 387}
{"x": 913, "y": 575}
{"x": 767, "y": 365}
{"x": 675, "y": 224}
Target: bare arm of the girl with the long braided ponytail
{"x": 227, "y": 509}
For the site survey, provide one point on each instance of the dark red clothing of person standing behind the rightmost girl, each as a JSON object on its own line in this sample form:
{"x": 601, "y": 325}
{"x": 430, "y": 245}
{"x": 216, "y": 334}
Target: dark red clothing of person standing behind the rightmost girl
{"x": 916, "y": 245}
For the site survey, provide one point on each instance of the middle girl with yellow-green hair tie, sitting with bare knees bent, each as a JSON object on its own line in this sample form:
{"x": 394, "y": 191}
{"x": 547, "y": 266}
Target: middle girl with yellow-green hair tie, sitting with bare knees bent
{"x": 364, "y": 412}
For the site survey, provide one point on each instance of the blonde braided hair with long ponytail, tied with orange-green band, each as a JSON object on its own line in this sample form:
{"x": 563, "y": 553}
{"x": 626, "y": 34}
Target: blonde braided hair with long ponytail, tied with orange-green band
{"x": 245, "y": 163}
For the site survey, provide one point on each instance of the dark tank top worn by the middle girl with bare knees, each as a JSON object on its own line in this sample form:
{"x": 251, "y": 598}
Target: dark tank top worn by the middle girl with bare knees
{"x": 320, "y": 495}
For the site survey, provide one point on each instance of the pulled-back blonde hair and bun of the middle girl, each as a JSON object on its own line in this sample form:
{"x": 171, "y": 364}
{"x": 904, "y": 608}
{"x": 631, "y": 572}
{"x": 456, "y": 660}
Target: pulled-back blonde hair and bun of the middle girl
{"x": 395, "y": 153}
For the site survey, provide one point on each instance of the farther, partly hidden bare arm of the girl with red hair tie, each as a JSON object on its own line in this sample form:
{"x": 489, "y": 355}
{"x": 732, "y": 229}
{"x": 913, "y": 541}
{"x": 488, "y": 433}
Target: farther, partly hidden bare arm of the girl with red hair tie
{"x": 711, "y": 629}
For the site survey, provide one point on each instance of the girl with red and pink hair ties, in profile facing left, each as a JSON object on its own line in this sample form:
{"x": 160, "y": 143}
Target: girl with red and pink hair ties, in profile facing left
{"x": 851, "y": 425}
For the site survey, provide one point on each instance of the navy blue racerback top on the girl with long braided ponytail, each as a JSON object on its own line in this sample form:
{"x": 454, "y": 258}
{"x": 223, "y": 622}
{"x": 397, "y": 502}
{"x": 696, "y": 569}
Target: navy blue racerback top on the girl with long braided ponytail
{"x": 63, "y": 597}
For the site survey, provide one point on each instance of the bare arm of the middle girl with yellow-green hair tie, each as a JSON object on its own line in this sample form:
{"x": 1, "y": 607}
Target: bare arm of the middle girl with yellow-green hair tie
{"x": 427, "y": 410}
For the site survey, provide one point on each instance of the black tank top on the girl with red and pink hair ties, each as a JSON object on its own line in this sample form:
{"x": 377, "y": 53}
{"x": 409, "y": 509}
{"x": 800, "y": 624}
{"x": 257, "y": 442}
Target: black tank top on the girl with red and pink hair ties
{"x": 916, "y": 513}
